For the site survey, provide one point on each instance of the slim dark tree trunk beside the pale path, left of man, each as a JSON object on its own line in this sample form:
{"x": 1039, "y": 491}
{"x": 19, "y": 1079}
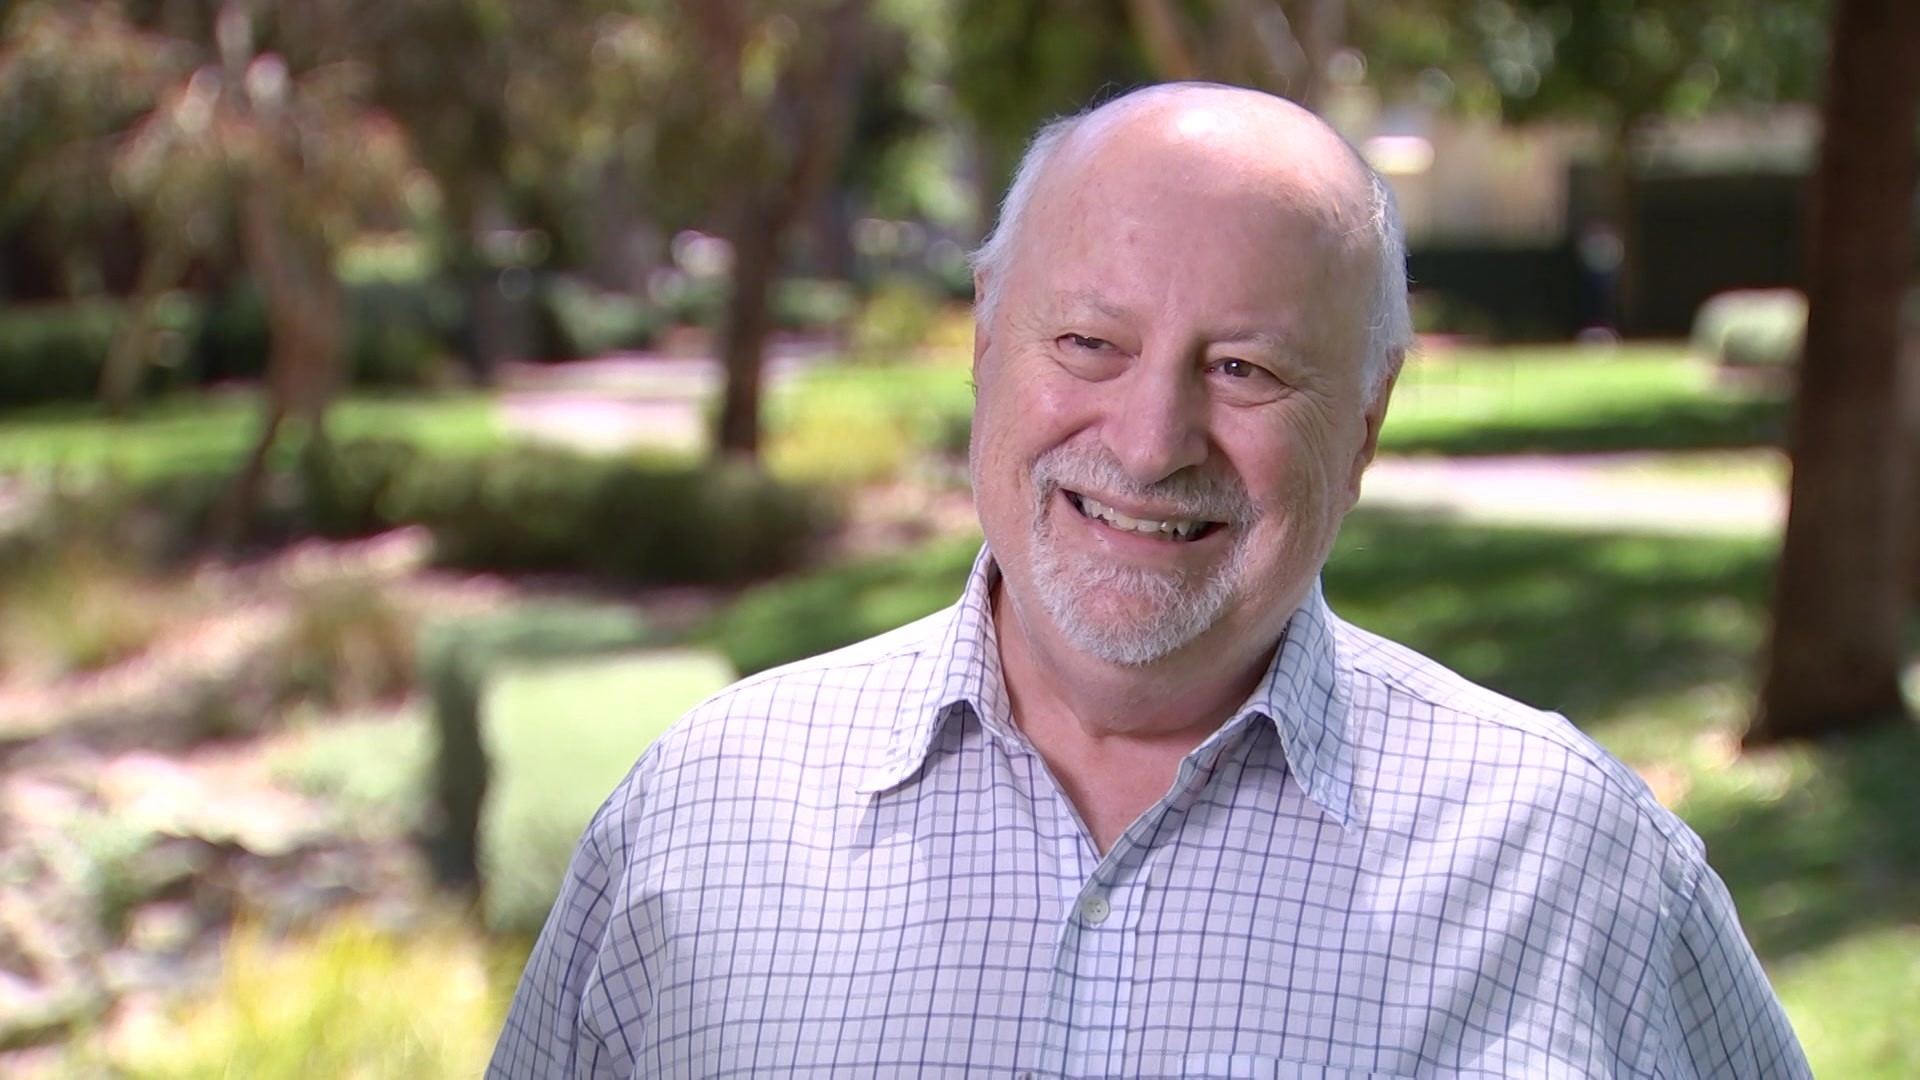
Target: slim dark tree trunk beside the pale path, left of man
{"x": 748, "y": 324}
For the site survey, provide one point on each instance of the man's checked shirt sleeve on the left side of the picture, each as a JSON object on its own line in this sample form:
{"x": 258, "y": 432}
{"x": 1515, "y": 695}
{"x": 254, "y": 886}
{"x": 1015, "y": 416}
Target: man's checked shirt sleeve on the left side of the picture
{"x": 544, "y": 1037}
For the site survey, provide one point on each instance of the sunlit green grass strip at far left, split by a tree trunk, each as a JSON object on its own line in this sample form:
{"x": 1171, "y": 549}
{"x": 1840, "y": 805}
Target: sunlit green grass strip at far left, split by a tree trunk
{"x": 212, "y": 433}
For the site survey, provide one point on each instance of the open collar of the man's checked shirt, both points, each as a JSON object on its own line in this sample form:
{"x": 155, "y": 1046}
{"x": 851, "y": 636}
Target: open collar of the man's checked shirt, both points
{"x": 1307, "y": 695}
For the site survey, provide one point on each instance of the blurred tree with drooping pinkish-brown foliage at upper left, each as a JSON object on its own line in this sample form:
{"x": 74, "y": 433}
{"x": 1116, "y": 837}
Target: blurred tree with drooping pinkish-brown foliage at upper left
{"x": 229, "y": 145}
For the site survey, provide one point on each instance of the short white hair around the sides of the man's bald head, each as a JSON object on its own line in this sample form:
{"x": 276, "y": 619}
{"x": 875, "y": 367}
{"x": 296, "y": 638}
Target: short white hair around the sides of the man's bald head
{"x": 1389, "y": 322}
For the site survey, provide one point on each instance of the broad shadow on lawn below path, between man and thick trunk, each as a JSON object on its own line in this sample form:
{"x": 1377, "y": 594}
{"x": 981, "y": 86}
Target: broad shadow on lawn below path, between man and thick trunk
{"x": 1572, "y": 622}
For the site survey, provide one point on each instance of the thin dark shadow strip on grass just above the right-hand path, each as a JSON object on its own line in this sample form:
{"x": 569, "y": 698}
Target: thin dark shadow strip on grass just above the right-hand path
{"x": 1668, "y": 426}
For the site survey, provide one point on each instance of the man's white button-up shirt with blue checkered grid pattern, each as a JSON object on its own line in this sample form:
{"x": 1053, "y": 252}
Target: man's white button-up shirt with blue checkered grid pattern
{"x": 859, "y": 868}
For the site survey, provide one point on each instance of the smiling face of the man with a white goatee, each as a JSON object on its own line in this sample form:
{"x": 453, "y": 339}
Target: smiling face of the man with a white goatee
{"x": 1172, "y": 410}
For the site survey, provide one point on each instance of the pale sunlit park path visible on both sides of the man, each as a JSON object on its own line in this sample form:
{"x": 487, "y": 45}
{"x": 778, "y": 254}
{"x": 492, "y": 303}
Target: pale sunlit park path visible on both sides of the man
{"x": 642, "y": 401}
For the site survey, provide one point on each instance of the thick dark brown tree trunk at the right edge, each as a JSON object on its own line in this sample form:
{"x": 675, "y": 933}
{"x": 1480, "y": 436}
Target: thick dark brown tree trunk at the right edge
{"x": 1838, "y": 637}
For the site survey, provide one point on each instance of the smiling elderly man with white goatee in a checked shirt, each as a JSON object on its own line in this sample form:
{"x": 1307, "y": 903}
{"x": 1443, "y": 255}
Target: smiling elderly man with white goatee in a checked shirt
{"x": 1140, "y": 804}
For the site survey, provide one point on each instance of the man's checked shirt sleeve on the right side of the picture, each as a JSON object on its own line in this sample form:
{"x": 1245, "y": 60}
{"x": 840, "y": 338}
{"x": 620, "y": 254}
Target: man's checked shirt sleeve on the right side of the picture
{"x": 1727, "y": 1021}
